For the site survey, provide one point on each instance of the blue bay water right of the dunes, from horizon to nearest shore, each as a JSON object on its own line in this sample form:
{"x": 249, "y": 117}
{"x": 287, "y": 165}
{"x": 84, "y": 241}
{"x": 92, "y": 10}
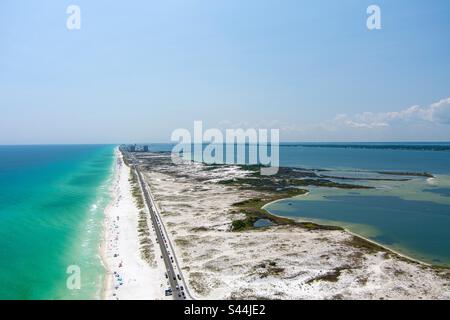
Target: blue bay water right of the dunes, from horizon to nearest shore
{"x": 408, "y": 208}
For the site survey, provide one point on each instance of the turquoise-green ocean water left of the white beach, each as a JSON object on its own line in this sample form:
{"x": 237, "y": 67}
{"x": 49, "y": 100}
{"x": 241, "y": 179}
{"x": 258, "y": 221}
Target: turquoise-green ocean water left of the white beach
{"x": 52, "y": 200}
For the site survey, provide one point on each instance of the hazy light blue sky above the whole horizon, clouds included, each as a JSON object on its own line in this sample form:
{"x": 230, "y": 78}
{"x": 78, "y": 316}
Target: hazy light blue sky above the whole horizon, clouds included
{"x": 137, "y": 70}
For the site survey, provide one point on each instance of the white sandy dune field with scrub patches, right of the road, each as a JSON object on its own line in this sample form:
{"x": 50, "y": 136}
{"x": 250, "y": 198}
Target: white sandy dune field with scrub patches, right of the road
{"x": 283, "y": 262}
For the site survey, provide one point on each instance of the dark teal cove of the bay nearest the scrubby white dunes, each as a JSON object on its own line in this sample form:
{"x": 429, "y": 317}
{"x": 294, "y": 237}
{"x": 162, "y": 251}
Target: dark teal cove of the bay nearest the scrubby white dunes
{"x": 415, "y": 227}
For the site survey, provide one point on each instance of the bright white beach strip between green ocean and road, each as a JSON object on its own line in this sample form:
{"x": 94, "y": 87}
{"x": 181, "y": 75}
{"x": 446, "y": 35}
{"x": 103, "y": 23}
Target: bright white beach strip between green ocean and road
{"x": 128, "y": 275}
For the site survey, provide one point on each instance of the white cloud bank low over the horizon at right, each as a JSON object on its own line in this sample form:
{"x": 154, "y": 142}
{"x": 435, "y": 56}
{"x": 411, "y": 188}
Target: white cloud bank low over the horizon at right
{"x": 415, "y": 123}
